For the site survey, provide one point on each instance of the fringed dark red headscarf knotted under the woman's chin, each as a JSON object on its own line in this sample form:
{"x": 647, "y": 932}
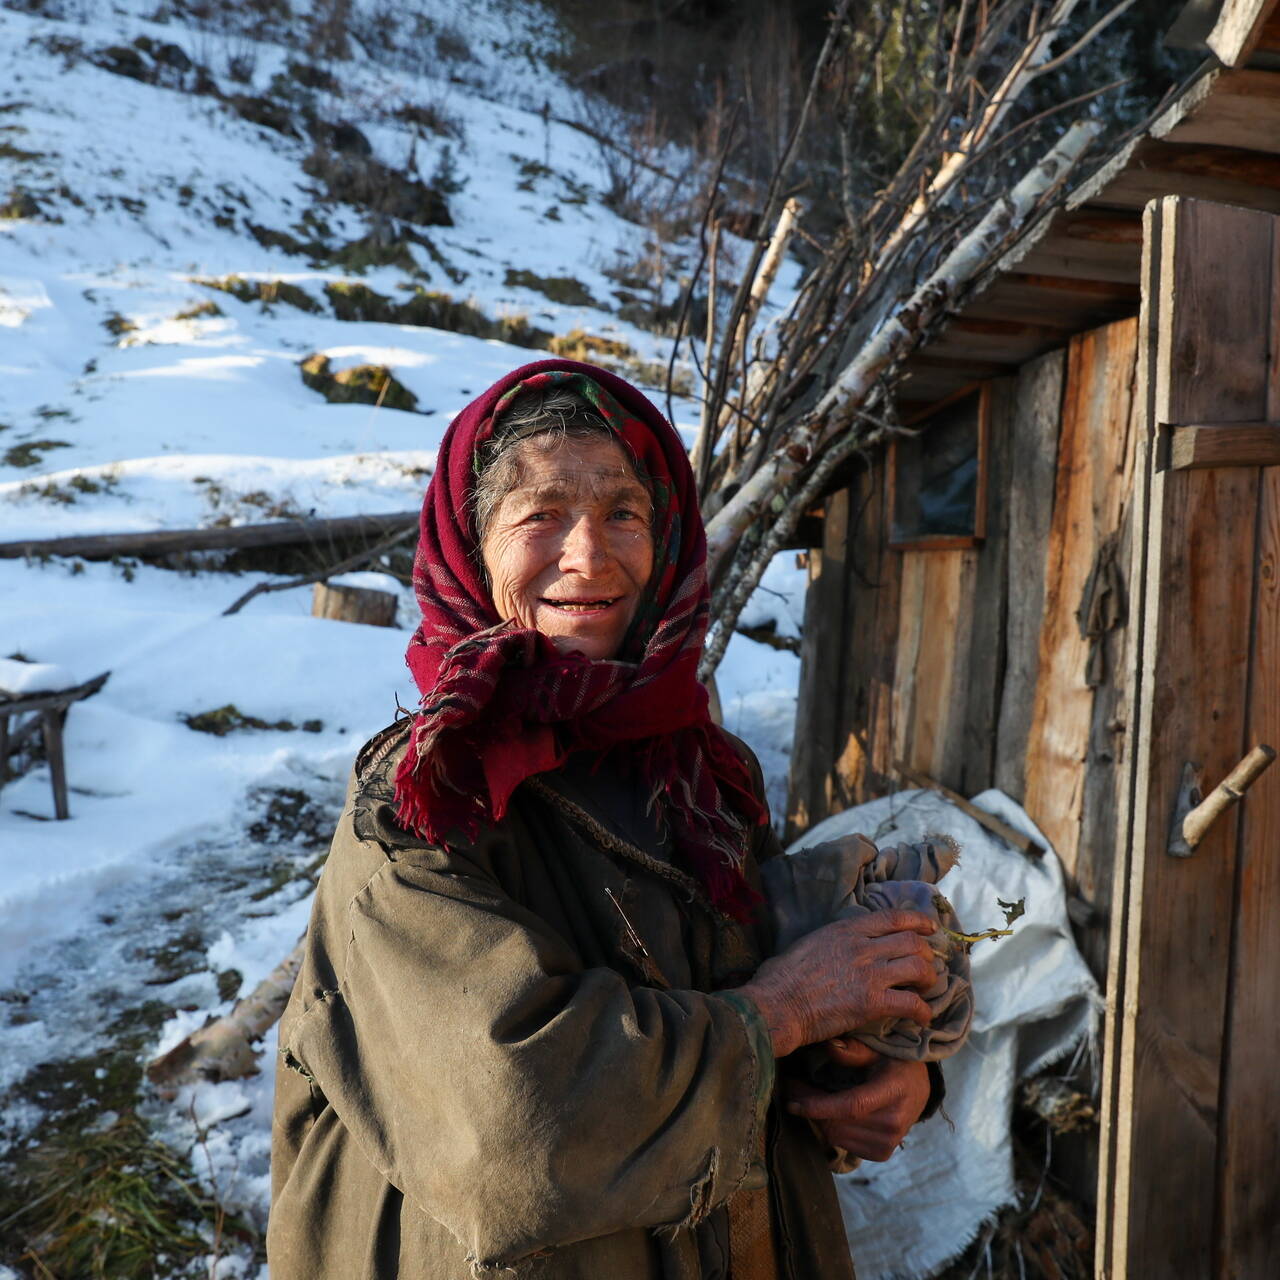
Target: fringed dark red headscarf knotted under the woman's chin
{"x": 500, "y": 703}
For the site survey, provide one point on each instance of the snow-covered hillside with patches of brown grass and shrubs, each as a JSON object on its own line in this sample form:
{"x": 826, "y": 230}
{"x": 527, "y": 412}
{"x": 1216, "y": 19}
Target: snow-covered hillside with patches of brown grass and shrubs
{"x": 189, "y": 212}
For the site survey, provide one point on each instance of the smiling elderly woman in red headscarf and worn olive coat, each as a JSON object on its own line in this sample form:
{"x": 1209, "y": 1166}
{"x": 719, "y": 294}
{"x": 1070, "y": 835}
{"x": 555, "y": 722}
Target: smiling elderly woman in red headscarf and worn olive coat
{"x": 536, "y": 1031}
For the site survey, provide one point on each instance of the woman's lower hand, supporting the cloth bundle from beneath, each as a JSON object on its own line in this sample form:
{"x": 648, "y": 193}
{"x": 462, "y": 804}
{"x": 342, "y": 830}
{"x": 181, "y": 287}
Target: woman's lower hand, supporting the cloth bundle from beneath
{"x": 872, "y": 1119}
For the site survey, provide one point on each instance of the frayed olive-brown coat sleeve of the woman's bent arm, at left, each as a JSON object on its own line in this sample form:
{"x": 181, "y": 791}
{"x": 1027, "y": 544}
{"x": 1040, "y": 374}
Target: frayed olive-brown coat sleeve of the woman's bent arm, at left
{"x": 514, "y": 1095}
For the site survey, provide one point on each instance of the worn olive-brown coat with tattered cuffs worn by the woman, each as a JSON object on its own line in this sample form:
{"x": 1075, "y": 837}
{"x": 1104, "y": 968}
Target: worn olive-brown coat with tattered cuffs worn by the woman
{"x": 508, "y": 1057}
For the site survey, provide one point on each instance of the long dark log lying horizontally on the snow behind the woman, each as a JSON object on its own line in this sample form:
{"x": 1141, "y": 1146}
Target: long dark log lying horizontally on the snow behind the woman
{"x": 162, "y": 542}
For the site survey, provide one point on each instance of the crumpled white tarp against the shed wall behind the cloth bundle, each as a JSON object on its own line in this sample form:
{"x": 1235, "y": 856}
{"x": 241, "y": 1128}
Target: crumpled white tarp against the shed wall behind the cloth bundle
{"x": 1036, "y": 1003}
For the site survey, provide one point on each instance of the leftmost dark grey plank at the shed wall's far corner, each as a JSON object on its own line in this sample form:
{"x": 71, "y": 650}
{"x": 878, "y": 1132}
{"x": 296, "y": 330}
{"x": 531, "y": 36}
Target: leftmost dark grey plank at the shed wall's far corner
{"x": 819, "y": 696}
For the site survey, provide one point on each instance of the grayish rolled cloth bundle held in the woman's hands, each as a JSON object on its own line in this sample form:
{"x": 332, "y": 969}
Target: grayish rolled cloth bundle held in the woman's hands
{"x": 851, "y": 877}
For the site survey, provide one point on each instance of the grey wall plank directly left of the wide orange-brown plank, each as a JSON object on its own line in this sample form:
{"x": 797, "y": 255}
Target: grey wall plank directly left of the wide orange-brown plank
{"x": 1034, "y": 461}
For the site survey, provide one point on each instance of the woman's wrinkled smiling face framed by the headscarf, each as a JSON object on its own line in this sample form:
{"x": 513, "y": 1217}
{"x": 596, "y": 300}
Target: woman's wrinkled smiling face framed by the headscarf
{"x": 570, "y": 546}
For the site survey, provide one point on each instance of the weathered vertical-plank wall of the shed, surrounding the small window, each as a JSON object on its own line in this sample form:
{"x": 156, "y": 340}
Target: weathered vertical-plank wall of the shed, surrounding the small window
{"x": 998, "y": 665}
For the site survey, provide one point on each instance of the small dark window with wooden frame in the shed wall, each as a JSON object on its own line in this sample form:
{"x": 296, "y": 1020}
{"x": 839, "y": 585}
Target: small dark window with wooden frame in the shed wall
{"x": 940, "y": 476}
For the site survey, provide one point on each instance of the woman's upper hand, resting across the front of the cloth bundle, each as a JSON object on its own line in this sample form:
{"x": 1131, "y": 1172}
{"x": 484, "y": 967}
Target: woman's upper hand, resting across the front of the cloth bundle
{"x": 845, "y": 976}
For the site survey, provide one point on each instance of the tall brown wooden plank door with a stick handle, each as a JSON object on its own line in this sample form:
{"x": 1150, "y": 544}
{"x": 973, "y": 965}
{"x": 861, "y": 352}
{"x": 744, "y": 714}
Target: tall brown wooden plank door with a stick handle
{"x": 1190, "y": 1181}
